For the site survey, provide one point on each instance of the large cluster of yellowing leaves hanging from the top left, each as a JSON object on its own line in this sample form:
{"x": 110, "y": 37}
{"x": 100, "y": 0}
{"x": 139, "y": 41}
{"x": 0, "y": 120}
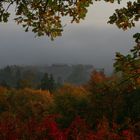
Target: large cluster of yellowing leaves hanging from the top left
{"x": 44, "y": 17}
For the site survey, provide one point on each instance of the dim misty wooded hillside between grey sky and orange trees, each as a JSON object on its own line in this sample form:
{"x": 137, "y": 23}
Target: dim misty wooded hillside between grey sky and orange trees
{"x": 62, "y": 73}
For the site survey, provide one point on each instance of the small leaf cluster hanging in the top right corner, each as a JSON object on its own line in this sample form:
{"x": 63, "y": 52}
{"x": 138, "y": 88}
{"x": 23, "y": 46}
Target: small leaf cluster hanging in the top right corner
{"x": 127, "y": 16}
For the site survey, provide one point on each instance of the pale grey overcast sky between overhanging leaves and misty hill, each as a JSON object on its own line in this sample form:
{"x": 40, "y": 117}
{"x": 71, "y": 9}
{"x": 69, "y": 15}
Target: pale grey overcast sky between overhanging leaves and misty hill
{"x": 93, "y": 41}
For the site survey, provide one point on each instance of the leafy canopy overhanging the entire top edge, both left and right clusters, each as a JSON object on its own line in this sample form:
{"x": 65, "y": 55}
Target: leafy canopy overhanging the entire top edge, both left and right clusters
{"x": 44, "y": 17}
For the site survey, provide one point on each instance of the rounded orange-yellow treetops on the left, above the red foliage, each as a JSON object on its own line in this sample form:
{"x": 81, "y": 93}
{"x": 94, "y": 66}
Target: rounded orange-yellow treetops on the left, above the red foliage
{"x": 26, "y": 102}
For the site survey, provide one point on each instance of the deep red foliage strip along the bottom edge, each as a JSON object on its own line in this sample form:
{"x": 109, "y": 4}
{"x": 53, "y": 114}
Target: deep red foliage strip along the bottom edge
{"x": 12, "y": 128}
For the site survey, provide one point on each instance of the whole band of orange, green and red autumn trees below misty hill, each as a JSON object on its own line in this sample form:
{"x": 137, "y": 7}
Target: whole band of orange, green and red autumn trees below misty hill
{"x": 101, "y": 109}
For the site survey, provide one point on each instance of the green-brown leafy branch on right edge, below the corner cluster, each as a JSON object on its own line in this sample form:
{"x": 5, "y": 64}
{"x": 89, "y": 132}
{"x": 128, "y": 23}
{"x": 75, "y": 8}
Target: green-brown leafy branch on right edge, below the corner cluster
{"x": 129, "y": 65}
